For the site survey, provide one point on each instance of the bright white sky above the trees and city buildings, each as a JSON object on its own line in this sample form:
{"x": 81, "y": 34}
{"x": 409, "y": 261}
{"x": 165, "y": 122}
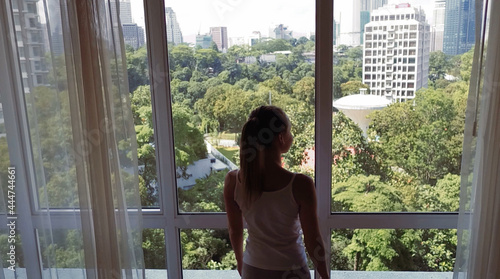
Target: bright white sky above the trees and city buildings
{"x": 241, "y": 17}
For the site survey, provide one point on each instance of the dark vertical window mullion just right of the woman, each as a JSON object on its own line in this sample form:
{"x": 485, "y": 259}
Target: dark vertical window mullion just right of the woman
{"x": 324, "y": 101}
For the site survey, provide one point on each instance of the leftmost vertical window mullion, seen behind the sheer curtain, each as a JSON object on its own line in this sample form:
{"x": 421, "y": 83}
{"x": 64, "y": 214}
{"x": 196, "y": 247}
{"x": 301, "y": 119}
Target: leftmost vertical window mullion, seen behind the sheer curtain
{"x": 18, "y": 140}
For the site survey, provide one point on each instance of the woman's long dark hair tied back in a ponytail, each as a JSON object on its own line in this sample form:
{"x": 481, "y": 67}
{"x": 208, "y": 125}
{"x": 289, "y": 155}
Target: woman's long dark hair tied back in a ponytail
{"x": 257, "y": 135}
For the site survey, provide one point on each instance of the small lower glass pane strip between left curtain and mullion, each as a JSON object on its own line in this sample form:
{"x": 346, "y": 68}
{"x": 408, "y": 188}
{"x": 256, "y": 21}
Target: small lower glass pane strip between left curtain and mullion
{"x": 155, "y": 259}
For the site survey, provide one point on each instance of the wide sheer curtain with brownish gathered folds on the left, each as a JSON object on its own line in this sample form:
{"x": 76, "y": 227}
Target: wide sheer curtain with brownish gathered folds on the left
{"x": 81, "y": 147}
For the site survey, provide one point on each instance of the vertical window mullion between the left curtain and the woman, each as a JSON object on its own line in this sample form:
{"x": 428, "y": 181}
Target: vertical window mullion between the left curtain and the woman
{"x": 163, "y": 129}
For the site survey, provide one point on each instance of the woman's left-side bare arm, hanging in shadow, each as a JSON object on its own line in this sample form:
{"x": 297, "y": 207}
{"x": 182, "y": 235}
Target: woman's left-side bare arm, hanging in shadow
{"x": 234, "y": 218}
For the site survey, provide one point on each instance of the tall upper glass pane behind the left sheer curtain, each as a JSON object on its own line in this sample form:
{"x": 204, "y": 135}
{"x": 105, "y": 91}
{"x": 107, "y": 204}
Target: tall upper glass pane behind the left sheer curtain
{"x": 39, "y": 36}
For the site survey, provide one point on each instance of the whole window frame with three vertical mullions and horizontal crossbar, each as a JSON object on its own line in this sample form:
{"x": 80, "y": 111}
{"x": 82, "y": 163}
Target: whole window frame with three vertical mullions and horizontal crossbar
{"x": 168, "y": 217}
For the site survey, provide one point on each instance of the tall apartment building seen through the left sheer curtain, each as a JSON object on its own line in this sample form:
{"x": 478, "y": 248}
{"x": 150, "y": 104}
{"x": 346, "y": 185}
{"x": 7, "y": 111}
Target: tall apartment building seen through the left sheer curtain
{"x": 30, "y": 42}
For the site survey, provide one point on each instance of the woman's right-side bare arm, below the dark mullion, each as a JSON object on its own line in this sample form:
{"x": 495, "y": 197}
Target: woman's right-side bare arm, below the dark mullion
{"x": 305, "y": 196}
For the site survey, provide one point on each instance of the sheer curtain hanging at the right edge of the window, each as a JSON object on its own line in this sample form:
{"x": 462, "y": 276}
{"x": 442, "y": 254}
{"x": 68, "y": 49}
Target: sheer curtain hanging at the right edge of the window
{"x": 478, "y": 252}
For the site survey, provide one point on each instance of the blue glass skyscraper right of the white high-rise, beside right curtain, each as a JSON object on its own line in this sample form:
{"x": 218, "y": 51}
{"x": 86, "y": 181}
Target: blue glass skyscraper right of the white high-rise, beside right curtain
{"x": 459, "y": 26}
